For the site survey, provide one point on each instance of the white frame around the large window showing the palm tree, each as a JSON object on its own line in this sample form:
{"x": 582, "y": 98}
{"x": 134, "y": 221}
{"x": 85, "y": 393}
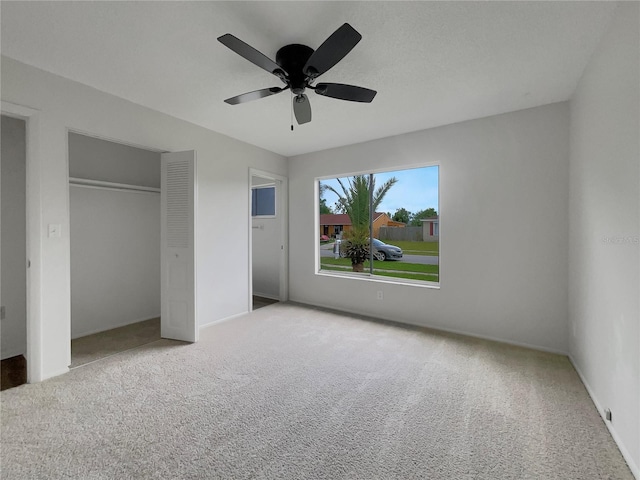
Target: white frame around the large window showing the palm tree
{"x": 367, "y": 276}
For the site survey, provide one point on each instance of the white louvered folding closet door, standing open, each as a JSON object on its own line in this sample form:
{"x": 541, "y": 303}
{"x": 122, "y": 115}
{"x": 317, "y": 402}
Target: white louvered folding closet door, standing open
{"x": 178, "y": 198}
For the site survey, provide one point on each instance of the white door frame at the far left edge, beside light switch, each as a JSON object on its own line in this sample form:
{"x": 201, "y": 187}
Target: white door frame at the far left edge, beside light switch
{"x": 31, "y": 117}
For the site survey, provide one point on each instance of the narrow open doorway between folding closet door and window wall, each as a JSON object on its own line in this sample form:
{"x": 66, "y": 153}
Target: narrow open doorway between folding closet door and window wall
{"x": 268, "y": 279}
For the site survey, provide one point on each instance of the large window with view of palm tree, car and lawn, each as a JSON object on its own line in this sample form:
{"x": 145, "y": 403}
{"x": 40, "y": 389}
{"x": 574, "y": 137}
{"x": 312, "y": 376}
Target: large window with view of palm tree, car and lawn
{"x": 384, "y": 224}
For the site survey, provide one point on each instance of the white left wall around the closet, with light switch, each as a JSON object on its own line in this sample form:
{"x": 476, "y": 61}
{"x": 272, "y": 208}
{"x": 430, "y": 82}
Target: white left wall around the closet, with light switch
{"x": 222, "y": 182}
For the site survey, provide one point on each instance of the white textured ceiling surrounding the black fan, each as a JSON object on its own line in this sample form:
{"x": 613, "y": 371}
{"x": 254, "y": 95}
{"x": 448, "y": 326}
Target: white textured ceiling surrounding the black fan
{"x": 432, "y": 63}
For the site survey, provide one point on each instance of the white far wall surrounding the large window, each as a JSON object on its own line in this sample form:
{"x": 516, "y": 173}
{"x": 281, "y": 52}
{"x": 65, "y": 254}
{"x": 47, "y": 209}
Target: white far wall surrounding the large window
{"x": 503, "y": 228}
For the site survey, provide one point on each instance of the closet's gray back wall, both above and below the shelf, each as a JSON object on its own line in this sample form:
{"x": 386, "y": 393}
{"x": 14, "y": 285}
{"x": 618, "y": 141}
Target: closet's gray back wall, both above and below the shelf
{"x": 115, "y": 236}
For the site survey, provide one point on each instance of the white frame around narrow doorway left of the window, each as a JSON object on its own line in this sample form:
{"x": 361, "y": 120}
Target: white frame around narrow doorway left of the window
{"x": 282, "y": 206}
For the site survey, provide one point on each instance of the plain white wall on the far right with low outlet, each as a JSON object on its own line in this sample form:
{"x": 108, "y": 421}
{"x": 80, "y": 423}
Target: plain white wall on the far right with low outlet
{"x": 605, "y": 229}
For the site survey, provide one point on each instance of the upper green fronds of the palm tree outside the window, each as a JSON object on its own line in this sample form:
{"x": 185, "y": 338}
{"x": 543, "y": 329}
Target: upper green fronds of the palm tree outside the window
{"x": 354, "y": 199}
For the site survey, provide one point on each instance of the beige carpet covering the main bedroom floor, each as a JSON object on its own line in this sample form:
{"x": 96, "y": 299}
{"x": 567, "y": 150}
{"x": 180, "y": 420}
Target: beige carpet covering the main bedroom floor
{"x": 290, "y": 392}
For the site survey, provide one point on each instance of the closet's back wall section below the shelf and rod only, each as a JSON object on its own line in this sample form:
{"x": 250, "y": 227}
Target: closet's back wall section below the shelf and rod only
{"x": 115, "y": 259}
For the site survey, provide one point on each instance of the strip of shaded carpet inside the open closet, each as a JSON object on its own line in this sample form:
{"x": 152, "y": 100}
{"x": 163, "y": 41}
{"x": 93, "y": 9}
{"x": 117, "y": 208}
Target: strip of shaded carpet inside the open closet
{"x": 100, "y": 345}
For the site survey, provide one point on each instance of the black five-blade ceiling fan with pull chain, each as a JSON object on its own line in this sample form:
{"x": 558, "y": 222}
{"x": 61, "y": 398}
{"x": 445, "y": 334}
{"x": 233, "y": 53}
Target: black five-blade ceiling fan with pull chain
{"x": 298, "y": 66}
